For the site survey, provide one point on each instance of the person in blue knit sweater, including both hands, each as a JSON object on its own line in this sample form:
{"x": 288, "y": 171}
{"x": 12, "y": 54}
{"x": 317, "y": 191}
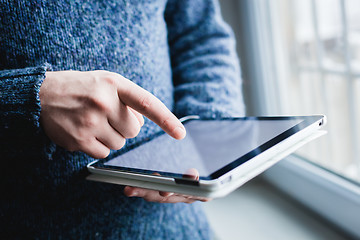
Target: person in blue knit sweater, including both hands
{"x": 76, "y": 78}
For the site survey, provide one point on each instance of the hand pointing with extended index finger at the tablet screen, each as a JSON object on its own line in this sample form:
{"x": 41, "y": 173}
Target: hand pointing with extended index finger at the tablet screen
{"x": 96, "y": 111}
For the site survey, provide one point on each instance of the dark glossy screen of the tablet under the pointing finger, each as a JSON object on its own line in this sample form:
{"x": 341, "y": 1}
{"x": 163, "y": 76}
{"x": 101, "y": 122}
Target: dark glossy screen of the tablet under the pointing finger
{"x": 212, "y": 147}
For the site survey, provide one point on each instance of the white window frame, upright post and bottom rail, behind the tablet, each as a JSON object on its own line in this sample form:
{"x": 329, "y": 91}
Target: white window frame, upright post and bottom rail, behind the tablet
{"x": 331, "y": 196}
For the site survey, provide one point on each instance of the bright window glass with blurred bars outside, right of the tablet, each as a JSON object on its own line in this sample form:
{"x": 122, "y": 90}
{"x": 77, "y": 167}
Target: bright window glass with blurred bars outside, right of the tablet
{"x": 323, "y": 42}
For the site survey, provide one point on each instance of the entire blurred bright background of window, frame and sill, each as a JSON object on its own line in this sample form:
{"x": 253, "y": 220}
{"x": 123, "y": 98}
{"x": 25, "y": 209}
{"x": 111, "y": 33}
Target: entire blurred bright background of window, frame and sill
{"x": 299, "y": 57}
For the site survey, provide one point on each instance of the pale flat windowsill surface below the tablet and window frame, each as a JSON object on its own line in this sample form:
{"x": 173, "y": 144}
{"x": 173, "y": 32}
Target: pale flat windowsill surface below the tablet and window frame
{"x": 257, "y": 211}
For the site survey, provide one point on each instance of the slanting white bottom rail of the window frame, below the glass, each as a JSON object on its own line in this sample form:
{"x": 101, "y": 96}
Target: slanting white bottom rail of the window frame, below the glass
{"x": 334, "y": 198}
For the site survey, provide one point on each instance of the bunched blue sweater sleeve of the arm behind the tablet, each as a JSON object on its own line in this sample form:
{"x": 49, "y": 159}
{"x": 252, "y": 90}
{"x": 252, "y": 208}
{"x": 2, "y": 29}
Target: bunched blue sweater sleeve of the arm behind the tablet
{"x": 206, "y": 71}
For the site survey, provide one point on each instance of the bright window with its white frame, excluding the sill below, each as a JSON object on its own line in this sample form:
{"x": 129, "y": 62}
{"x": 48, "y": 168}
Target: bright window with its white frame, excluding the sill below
{"x": 301, "y": 58}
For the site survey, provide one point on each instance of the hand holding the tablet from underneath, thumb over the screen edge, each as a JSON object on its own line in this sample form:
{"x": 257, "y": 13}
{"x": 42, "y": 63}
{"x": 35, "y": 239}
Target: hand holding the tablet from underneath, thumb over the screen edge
{"x": 165, "y": 197}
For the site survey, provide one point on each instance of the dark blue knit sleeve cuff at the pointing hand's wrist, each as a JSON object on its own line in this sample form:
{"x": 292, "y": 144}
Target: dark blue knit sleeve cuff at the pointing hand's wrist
{"x": 20, "y": 131}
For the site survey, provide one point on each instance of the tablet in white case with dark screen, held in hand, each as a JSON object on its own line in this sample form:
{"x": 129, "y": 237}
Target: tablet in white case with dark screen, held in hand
{"x": 216, "y": 156}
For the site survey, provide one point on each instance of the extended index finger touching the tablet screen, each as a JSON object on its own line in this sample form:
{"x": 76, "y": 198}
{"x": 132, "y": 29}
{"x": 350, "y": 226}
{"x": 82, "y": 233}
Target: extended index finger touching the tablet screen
{"x": 150, "y": 106}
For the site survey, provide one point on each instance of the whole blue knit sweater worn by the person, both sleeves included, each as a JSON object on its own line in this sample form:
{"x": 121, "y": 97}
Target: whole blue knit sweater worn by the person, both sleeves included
{"x": 180, "y": 50}
